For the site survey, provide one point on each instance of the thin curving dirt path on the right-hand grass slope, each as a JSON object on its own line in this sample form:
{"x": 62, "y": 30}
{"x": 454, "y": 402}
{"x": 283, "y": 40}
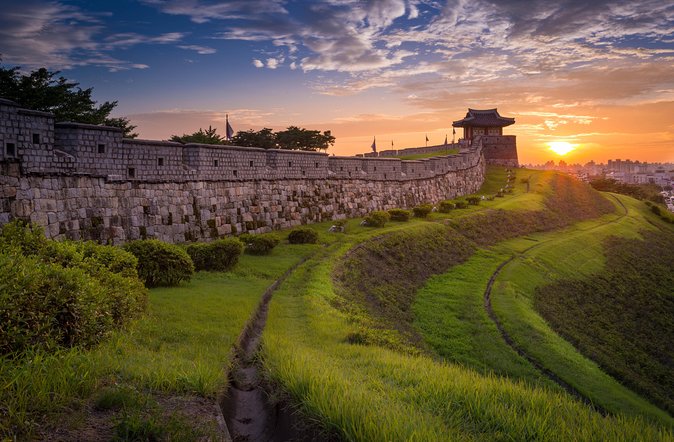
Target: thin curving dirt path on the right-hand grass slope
{"x": 519, "y": 350}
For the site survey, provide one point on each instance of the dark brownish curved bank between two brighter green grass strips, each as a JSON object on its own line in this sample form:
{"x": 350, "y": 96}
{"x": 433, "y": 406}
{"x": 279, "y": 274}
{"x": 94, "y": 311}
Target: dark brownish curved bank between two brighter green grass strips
{"x": 382, "y": 275}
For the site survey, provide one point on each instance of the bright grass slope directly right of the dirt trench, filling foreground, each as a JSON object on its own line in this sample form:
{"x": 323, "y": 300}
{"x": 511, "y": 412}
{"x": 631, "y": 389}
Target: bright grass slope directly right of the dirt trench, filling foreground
{"x": 367, "y": 392}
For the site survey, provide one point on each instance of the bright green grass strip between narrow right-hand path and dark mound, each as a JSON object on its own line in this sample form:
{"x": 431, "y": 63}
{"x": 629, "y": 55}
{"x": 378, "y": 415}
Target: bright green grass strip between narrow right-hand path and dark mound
{"x": 574, "y": 255}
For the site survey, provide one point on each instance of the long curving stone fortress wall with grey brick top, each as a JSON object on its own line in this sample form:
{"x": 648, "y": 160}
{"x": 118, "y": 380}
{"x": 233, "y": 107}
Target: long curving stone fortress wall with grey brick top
{"x": 81, "y": 181}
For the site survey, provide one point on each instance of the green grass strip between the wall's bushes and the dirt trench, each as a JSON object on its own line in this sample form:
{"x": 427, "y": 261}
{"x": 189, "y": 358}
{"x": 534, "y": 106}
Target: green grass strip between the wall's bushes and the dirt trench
{"x": 182, "y": 346}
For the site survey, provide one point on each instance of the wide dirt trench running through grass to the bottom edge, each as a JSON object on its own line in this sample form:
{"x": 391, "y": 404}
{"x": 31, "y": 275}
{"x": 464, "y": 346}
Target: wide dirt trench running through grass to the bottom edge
{"x": 247, "y": 411}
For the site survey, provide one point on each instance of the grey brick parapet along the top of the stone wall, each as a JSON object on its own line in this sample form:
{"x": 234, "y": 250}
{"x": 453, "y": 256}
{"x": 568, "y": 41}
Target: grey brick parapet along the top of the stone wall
{"x": 43, "y": 147}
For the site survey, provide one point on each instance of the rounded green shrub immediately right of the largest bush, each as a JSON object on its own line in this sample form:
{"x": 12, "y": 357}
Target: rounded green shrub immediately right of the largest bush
{"x": 160, "y": 263}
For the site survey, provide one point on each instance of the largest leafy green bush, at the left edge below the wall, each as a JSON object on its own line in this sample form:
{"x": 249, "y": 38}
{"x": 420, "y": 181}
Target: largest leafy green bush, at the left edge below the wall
{"x": 62, "y": 294}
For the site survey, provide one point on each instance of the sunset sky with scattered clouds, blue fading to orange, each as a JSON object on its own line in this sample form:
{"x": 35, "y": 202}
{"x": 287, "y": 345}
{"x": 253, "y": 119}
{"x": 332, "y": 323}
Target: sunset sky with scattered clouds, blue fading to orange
{"x": 596, "y": 74}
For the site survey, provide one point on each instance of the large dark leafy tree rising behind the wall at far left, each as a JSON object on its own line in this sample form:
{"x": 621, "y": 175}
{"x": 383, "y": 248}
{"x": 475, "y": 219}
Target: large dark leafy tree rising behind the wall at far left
{"x": 44, "y": 90}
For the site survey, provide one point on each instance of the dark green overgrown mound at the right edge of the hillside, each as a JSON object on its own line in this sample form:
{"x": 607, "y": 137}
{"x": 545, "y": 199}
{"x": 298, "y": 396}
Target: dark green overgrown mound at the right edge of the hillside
{"x": 622, "y": 318}
